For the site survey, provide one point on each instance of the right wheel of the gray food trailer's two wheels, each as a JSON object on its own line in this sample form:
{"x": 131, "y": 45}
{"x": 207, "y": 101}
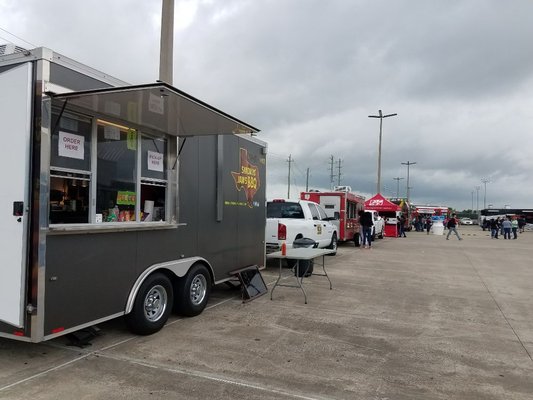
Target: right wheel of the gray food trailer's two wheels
{"x": 192, "y": 291}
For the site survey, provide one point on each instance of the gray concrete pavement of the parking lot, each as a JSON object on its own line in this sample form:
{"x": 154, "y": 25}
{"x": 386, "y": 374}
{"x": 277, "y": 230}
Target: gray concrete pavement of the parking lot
{"x": 412, "y": 318}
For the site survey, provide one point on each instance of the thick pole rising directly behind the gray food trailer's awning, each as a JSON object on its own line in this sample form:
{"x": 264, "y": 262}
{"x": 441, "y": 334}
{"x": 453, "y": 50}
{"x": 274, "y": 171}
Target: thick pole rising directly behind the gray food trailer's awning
{"x": 166, "y": 51}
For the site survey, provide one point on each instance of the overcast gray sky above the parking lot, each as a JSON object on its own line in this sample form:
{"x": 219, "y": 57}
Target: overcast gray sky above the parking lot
{"x": 308, "y": 73}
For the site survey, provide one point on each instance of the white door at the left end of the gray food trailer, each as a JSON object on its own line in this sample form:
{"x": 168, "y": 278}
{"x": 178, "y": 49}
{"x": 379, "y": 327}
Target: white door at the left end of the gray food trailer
{"x": 15, "y": 121}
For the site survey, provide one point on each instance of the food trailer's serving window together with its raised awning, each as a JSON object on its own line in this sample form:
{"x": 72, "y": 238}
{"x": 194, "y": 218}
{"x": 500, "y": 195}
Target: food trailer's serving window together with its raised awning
{"x": 113, "y": 152}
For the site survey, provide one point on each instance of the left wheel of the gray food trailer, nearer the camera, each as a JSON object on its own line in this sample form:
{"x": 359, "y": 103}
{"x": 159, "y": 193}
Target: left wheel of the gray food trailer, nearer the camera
{"x": 152, "y": 305}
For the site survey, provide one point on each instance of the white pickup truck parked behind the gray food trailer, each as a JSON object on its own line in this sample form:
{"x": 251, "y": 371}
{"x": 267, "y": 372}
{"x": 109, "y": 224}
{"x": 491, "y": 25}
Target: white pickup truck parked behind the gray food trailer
{"x": 288, "y": 220}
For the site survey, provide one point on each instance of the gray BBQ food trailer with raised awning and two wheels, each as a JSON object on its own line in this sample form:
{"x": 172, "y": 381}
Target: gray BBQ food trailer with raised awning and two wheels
{"x": 117, "y": 200}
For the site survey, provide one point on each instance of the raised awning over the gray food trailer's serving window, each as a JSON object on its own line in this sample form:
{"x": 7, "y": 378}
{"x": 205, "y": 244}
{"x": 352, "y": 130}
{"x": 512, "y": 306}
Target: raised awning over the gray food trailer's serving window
{"x": 158, "y": 106}
